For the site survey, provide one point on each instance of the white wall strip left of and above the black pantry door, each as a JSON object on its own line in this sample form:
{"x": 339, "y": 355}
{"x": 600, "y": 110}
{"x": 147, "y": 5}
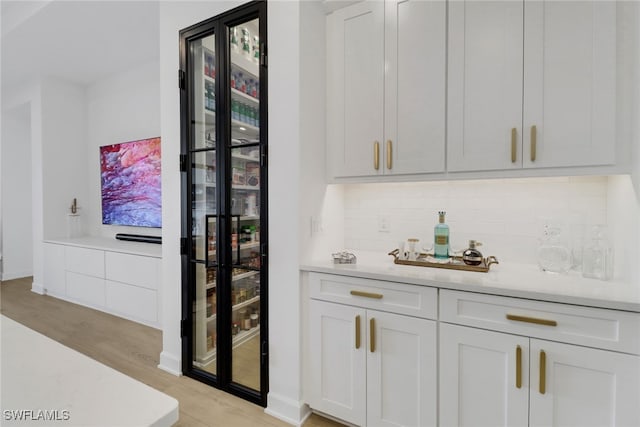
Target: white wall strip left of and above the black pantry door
{"x": 174, "y": 16}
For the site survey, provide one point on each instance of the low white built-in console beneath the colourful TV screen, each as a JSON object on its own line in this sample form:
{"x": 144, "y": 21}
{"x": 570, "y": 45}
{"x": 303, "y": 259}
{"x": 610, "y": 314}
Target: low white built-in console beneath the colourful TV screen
{"x": 121, "y": 278}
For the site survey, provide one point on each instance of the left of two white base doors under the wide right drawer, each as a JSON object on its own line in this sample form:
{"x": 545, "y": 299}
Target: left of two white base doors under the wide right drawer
{"x": 481, "y": 381}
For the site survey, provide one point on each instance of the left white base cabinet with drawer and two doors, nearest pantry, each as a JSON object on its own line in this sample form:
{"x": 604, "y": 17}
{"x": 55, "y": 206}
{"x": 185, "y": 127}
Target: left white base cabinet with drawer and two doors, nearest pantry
{"x": 372, "y": 352}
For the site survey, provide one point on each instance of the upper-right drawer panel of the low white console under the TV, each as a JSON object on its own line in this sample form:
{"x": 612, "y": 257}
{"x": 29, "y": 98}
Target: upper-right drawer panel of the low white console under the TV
{"x": 133, "y": 269}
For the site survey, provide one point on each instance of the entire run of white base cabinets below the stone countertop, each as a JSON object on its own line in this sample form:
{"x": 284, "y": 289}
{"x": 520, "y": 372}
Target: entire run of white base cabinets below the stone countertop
{"x": 387, "y": 353}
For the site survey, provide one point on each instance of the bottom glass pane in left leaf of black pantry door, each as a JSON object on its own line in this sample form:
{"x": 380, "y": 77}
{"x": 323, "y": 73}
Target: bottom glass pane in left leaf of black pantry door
{"x": 204, "y": 319}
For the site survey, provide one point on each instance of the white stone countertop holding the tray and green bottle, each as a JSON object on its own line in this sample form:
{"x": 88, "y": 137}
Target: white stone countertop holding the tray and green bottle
{"x": 506, "y": 279}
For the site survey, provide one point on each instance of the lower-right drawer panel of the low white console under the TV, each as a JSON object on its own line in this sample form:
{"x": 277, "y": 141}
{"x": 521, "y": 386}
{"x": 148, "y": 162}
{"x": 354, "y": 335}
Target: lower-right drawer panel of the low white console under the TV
{"x": 132, "y": 301}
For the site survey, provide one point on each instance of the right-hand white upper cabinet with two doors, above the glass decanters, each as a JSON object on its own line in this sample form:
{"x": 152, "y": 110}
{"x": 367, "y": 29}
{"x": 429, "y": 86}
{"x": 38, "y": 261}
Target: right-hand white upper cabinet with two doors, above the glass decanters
{"x": 531, "y": 84}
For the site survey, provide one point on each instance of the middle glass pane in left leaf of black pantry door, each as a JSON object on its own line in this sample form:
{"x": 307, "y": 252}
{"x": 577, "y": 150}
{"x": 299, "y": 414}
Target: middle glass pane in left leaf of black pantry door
{"x": 203, "y": 172}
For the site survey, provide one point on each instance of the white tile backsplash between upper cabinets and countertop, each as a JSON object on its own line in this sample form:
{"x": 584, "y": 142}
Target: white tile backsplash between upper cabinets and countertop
{"x": 506, "y": 215}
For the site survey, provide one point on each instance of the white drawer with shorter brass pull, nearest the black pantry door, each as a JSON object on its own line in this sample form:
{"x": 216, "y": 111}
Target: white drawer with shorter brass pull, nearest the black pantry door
{"x": 413, "y": 300}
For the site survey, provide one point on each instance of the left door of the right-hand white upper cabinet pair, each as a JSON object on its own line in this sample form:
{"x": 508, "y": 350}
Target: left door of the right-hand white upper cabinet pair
{"x": 485, "y": 85}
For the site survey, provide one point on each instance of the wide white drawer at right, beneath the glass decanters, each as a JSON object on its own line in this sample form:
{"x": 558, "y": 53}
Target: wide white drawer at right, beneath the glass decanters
{"x": 593, "y": 327}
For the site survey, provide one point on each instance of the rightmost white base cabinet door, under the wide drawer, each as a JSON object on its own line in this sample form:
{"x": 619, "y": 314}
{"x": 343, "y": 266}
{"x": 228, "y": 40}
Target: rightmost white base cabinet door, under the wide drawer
{"x": 583, "y": 386}
